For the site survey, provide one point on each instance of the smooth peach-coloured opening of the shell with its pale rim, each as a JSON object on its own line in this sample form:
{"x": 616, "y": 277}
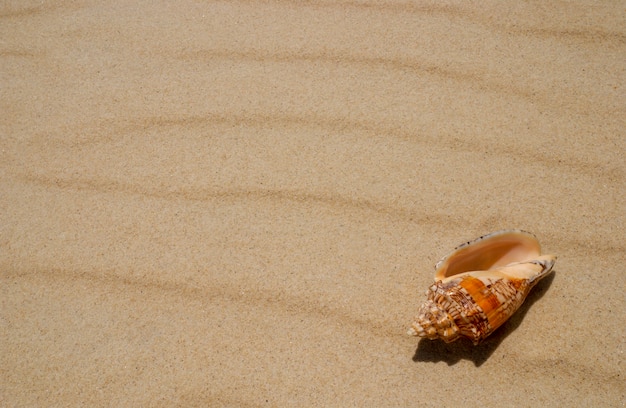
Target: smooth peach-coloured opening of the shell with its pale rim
{"x": 488, "y": 252}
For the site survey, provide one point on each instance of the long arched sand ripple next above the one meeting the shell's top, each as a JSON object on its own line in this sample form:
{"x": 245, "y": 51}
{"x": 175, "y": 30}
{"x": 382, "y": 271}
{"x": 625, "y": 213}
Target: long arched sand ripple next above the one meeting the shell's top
{"x": 109, "y": 130}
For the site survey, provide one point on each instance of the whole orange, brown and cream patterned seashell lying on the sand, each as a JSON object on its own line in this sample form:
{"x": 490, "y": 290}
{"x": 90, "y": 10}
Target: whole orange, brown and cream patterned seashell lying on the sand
{"x": 480, "y": 285}
